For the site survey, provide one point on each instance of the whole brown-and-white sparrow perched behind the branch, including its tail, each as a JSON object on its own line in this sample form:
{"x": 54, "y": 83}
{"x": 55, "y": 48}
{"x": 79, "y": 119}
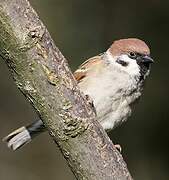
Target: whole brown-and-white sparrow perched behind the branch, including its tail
{"x": 113, "y": 80}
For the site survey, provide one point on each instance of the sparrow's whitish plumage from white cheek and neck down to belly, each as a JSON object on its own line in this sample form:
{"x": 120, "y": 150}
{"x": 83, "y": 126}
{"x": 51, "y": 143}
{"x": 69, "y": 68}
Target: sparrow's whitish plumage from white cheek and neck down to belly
{"x": 113, "y": 90}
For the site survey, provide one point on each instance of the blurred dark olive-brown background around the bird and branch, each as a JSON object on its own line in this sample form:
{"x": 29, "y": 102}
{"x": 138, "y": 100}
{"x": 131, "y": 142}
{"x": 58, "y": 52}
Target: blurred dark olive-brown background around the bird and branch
{"x": 82, "y": 29}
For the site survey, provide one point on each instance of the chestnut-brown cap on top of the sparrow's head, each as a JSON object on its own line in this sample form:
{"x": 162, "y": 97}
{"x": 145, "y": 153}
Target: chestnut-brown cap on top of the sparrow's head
{"x": 123, "y": 46}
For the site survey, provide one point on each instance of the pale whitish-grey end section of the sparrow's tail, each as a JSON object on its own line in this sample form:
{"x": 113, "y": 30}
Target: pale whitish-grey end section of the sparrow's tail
{"x": 17, "y": 138}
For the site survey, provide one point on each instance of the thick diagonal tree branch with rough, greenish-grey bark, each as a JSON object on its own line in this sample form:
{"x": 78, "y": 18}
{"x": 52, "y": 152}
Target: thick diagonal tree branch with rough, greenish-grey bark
{"x": 42, "y": 74}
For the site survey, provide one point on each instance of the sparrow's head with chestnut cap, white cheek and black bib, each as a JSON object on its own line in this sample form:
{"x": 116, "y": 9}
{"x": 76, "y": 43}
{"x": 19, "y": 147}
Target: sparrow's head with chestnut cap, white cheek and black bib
{"x": 131, "y": 56}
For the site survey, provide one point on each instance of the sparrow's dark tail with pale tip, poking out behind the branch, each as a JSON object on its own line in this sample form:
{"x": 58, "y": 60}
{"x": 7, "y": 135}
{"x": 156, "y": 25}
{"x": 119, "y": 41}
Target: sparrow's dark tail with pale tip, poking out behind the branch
{"x": 24, "y": 135}
